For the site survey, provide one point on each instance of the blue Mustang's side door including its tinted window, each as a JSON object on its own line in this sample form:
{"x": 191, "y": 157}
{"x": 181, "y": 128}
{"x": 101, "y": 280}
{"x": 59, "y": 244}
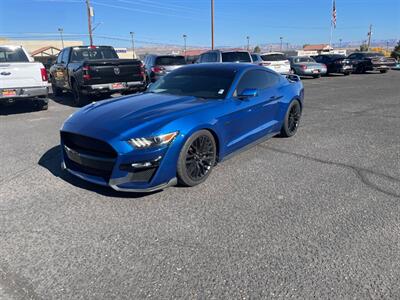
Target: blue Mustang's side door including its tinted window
{"x": 254, "y": 117}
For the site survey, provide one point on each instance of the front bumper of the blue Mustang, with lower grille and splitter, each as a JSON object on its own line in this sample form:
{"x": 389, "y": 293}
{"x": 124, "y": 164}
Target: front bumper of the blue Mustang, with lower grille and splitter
{"x": 122, "y": 172}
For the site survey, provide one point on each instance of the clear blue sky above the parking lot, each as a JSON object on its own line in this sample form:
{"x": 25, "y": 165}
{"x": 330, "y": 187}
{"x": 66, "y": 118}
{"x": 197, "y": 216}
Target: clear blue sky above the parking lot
{"x": 164, "y": 21}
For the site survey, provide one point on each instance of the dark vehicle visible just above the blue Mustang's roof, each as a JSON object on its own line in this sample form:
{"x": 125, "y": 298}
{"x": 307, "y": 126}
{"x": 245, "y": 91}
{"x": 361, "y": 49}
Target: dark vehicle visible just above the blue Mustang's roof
{"x": 215, "y": 56}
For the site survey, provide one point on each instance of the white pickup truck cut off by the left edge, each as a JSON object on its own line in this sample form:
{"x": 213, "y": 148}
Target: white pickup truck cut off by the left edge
{"x": 22, "y": 78}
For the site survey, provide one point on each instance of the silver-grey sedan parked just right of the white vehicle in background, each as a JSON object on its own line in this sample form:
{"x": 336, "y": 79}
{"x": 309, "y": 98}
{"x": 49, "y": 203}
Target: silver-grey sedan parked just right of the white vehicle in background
{"x": 306, "y": 66}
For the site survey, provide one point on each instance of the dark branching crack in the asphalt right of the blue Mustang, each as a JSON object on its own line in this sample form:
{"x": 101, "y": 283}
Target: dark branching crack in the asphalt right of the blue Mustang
{"x": 359, "y": 171}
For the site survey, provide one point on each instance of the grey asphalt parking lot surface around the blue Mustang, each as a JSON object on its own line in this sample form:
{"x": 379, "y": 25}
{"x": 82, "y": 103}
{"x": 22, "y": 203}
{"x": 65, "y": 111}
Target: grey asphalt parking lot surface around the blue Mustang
{"x": 314, "y": 216}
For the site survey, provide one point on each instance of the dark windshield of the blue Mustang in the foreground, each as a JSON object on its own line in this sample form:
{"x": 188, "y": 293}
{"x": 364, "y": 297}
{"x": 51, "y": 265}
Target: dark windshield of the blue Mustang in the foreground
{"x": 198, "y": 82}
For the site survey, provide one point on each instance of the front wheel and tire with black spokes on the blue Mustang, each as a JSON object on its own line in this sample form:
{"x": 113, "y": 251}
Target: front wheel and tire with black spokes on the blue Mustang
{"x": 197, "y": 158}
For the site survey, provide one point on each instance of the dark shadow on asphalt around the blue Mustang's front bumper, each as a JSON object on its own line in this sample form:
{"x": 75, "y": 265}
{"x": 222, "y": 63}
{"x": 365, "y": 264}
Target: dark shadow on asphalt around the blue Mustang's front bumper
{"x": 51, "y": 160}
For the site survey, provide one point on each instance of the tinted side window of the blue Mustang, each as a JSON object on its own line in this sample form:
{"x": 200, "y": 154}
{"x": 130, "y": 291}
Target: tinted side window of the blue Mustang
{"x": 257, "y": 79}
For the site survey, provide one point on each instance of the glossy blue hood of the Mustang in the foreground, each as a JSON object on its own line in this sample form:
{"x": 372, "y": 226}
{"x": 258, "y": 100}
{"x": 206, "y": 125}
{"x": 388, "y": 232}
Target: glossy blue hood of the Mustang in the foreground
{"x": 146, "y": 113}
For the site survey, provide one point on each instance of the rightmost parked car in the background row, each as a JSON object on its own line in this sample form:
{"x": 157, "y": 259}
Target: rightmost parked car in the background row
{"x": 370, "y": 61}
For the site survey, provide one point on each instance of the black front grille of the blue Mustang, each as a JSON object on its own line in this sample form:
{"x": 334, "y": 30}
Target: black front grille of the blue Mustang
{"x": 88, "y": 155}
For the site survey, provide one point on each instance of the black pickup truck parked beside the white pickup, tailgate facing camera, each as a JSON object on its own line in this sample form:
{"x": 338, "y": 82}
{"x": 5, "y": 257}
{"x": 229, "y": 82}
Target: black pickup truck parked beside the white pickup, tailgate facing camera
{"x": 95, "y": 70}
